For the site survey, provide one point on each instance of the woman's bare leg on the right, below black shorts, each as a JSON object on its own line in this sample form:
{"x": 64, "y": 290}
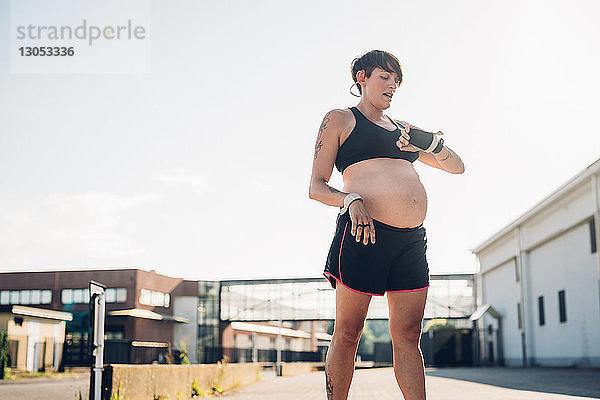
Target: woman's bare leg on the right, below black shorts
{"x": 406, "y": 318}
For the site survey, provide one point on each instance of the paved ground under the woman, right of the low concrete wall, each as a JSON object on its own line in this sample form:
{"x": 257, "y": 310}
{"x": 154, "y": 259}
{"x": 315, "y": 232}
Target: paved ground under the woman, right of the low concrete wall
{"x": 442, "y": 384}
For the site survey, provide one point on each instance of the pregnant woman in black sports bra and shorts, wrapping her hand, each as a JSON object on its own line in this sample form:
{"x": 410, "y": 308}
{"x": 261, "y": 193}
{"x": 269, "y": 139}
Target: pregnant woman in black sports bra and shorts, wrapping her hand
{"x": 380, "y": 242}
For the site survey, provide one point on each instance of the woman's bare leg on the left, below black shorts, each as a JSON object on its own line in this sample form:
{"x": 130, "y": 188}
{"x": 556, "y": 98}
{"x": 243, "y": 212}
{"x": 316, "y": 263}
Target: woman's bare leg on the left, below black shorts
{"x": 350, "y": 312}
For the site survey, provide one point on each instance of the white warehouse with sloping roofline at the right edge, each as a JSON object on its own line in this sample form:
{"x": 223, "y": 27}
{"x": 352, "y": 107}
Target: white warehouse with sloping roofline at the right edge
{"x": 540, "y": 280}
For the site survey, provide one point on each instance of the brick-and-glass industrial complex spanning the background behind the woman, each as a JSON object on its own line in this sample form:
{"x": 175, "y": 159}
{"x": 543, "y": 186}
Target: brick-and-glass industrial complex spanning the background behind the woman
{"x": 156, "y": 318}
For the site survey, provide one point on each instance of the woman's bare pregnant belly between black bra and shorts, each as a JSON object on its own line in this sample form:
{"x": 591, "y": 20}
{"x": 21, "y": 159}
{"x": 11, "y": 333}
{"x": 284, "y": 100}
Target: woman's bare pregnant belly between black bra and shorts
{"x": 391, "y": 190}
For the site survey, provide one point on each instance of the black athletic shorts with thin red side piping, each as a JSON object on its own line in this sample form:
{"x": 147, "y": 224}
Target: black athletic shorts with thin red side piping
{"x": 395, "y": 263}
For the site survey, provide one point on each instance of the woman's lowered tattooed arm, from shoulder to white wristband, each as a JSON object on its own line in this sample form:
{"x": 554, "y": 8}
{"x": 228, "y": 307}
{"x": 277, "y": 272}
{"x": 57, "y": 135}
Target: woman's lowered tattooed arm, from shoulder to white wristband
{"x": 326, "y": 149}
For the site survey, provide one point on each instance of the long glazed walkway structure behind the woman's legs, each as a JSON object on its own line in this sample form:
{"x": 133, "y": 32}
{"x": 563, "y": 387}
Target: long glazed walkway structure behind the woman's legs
{"x": 251, "y": 309}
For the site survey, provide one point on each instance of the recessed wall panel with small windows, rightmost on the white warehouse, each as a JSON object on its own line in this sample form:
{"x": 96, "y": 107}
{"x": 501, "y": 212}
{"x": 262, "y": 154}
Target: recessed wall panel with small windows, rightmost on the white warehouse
{"x": 566, "y": 263}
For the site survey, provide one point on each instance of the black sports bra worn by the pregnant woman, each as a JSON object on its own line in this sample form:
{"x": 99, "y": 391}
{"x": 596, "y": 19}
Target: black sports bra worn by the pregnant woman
{"x": 369, "y": 140}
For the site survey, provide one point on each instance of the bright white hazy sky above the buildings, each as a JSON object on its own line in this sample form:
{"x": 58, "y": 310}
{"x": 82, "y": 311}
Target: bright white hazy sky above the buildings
{"x": 200, "y": 168}
